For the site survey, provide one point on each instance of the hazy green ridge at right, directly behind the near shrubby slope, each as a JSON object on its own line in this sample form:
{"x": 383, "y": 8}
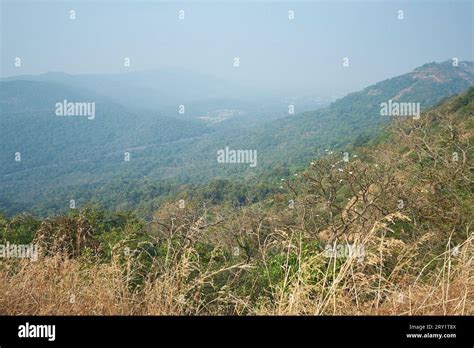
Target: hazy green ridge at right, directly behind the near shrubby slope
{"x": 354, "y": 119}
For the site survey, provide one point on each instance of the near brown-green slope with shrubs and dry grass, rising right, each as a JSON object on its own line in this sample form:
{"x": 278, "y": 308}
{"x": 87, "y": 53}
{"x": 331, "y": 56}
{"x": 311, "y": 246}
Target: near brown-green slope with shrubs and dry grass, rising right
{"x": 385, "y": 231}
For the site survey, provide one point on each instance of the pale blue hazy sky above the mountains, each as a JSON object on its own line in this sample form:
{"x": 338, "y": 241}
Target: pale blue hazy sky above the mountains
{"x": 301, "y": 55}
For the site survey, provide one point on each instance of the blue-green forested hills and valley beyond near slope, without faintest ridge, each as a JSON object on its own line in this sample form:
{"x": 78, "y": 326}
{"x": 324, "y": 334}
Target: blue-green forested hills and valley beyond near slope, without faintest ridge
{"x": 77, "y": 158}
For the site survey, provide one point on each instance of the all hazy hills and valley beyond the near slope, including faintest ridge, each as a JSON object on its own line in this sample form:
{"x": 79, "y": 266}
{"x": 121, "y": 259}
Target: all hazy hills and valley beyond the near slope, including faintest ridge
{"x": 74, "y": 157}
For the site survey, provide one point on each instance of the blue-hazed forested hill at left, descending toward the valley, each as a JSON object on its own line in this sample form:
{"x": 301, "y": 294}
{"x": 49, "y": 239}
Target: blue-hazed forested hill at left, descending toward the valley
{"x": 69, "y": 152}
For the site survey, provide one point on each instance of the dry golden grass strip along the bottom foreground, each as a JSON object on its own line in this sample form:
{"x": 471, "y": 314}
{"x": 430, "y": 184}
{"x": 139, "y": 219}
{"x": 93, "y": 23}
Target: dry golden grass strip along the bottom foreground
{"x": 60, "y": 286}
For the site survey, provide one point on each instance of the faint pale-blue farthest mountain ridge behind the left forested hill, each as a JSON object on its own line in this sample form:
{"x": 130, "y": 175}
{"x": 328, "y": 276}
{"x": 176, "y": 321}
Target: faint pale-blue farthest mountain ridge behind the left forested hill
{"x": 155, "y": 89}
